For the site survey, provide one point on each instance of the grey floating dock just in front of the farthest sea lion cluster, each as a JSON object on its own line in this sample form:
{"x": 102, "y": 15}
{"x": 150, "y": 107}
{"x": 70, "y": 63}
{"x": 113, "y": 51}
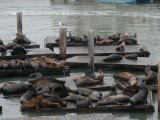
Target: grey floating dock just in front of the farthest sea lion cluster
{"x": 103, "y": 51}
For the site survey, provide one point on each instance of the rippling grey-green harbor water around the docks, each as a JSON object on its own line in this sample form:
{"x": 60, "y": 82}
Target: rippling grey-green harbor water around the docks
{"x": 41, "y": 18}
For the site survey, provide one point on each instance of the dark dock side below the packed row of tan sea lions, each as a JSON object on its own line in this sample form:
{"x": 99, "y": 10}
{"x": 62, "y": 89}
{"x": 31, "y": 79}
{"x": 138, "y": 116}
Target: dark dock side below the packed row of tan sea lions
{"x": 45, "y": 71}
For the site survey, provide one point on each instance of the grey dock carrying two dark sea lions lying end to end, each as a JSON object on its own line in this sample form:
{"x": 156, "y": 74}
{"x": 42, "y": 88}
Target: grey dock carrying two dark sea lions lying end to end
{"x": 138, "y": 64}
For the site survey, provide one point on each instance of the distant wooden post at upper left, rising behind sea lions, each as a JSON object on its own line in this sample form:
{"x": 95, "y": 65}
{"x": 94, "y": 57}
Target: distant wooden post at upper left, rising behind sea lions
{"x": 19, "y": 23}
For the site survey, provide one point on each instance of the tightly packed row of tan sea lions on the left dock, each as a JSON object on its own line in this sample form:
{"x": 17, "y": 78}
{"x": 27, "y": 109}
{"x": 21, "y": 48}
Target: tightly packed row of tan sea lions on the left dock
{"x": 31, "y": 63}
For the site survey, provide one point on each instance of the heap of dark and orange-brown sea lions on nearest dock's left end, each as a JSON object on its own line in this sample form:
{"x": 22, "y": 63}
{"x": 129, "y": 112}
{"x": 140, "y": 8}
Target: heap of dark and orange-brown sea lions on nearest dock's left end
{"x": 43, "y": 93}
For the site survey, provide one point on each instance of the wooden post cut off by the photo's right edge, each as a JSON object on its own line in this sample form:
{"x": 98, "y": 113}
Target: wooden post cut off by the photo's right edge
{"x": 158, "y": 86}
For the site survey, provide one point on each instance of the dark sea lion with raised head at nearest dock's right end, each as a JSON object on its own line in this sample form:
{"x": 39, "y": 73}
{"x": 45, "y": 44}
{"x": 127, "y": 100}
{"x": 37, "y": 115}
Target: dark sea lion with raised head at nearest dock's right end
{"x": 140, "y": 97}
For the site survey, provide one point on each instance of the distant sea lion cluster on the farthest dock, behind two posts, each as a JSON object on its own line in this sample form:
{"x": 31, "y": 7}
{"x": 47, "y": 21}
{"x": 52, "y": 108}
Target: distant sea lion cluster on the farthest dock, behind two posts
{"x": 116, "y": 38}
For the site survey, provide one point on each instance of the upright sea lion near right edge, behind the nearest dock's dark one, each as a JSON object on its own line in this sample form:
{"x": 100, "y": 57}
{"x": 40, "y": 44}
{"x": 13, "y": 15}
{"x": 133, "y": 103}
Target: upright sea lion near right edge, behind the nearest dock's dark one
{"x": 150, "y": 76}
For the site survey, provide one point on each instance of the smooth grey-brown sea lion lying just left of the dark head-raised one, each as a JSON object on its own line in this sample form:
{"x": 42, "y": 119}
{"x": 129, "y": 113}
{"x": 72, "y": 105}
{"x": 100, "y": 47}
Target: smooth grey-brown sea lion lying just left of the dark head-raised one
{"x": 115, "y": 99}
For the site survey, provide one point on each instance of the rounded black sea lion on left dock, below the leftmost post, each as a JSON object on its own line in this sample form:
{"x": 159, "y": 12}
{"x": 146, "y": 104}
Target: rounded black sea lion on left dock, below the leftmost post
{"x": 18, "y": 50}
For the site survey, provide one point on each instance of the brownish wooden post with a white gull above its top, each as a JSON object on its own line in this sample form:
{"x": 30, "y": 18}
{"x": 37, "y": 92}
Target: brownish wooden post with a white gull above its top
{"x": 63, "y": 42}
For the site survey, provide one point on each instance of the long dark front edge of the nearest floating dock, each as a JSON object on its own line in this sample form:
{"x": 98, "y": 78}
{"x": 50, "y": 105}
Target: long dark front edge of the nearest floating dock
{"x": 107, "y": 108}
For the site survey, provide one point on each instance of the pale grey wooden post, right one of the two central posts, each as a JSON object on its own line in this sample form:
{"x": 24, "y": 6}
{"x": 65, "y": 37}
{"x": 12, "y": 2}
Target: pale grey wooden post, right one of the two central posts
{"x": 91, "y": 49}
